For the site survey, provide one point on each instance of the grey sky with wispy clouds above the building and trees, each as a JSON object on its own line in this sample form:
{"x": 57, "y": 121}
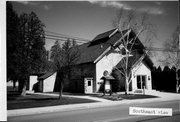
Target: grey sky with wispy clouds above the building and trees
{"x": 86, "y": 19}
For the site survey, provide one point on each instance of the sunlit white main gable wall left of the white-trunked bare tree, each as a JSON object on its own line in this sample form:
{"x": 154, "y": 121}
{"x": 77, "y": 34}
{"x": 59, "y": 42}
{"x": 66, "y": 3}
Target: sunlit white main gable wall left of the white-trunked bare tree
{"x": 106, "y": 63}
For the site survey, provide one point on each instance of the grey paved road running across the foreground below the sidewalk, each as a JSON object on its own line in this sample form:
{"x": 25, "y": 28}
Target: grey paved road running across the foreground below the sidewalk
{"x": 116, "y": 113}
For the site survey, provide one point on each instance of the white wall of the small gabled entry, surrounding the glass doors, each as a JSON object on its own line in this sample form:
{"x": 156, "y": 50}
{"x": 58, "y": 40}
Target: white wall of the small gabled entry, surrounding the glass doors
{"x": 141, "y": 70}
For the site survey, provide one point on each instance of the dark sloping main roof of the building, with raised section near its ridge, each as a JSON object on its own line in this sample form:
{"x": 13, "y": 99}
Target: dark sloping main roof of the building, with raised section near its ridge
{"x": 89, "y": 52}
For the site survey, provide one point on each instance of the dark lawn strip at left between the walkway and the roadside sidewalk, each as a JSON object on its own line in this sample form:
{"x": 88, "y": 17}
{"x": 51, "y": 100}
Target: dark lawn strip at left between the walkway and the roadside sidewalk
{"x": 15, "y": 101}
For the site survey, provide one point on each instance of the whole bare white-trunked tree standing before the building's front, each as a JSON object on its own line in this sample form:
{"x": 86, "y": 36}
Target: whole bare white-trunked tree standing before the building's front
{"x": 140, "y": 24}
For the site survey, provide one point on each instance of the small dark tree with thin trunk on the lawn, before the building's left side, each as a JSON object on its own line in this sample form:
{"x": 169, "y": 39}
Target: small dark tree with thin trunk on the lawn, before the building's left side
{"x": 64, "y": 59}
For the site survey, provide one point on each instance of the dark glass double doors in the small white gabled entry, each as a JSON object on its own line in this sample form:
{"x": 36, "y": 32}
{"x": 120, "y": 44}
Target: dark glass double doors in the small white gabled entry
{"x": 141, "y": 81}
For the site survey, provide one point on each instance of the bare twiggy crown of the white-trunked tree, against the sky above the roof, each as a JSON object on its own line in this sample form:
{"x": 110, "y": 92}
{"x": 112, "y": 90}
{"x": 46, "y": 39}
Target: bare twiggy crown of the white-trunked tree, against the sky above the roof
{"x": 140, "y": 23}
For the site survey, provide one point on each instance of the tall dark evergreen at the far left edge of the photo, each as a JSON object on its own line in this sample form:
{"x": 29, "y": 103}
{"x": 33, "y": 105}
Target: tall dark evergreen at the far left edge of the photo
{"x": 12, "y": 43}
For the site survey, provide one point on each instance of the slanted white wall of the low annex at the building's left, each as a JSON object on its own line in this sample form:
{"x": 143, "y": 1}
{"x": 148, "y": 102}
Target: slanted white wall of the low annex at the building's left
{"x": 48, "y": 84}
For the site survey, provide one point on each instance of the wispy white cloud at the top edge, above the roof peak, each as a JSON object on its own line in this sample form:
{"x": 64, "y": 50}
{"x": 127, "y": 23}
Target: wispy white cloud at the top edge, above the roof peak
{"x": 113, "y": 4}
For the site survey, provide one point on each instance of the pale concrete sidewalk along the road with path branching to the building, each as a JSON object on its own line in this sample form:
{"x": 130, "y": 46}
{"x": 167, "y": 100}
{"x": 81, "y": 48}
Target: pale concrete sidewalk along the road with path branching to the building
{"x": 162, "y": 96}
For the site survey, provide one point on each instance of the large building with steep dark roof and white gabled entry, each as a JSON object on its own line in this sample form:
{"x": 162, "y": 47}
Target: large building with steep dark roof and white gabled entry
{"x": 98, "y": 56}
